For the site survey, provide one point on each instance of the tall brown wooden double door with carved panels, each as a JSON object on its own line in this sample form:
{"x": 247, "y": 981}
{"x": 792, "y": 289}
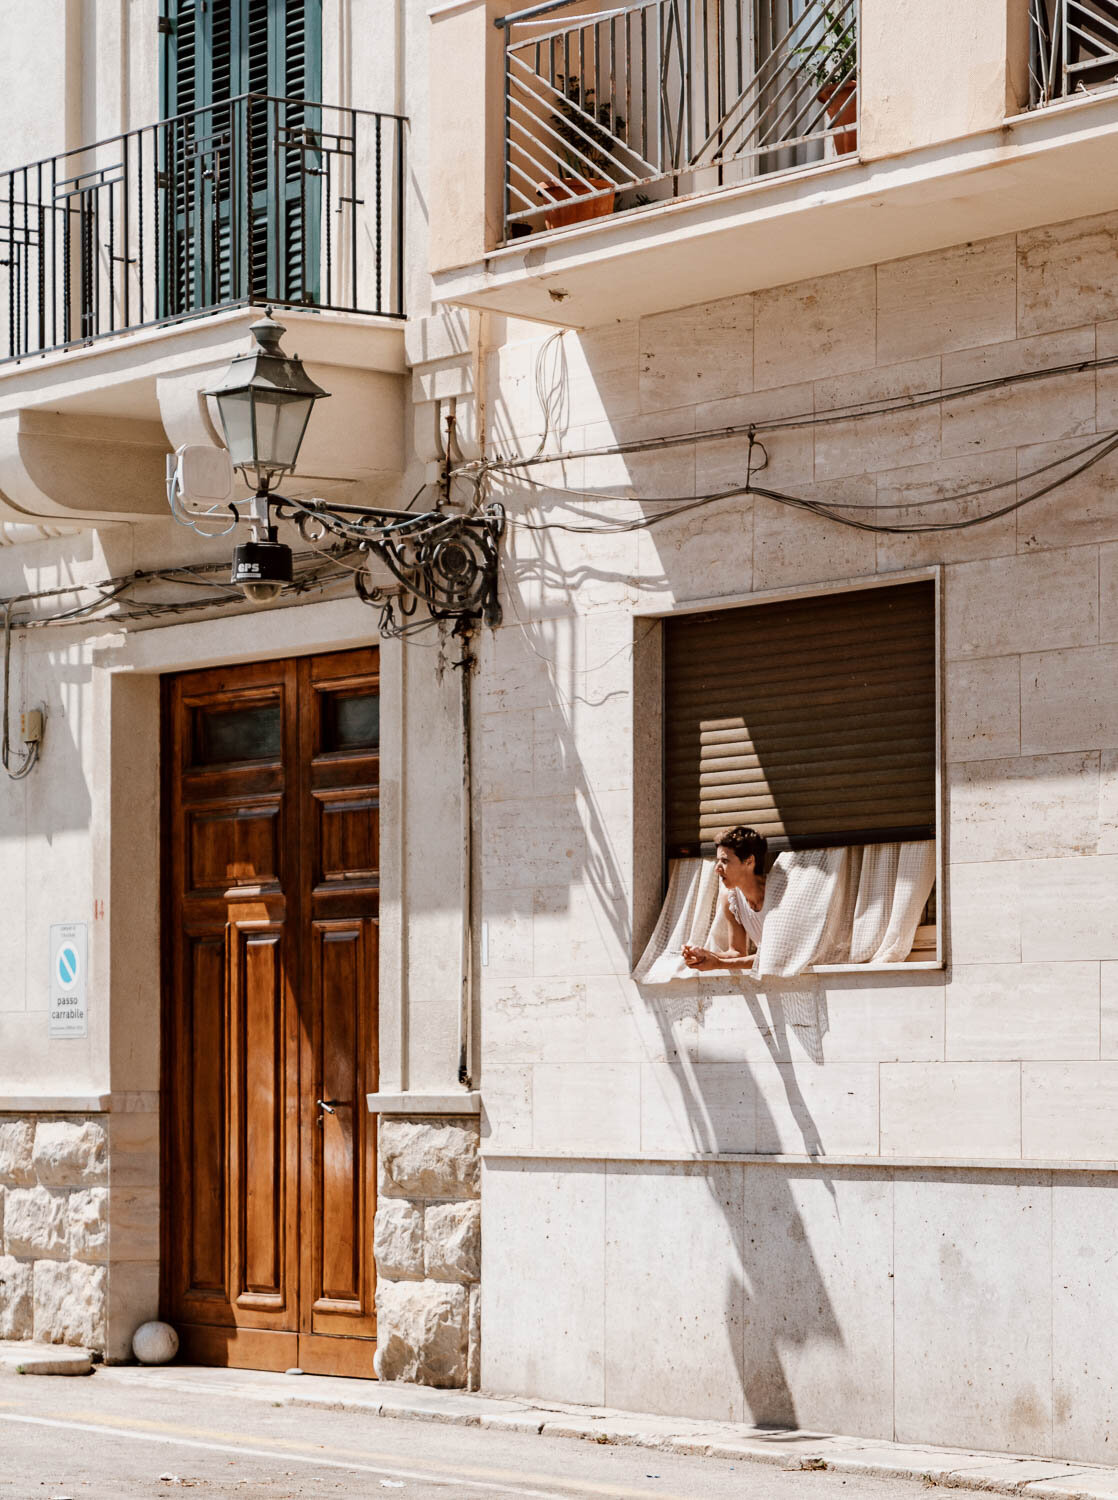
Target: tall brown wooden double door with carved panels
{"x": 271, "y": 920}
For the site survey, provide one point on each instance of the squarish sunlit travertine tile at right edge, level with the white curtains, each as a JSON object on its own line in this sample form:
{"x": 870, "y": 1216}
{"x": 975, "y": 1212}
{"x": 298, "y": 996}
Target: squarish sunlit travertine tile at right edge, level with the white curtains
{"x": 1069, "y": 908}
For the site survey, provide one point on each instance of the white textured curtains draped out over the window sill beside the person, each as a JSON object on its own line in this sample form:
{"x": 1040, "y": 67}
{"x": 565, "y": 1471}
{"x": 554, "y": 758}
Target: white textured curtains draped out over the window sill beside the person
{"x": 859, "y": 905}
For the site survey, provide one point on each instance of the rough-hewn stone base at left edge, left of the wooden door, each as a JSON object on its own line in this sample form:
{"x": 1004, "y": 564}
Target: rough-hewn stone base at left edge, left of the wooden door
{"x": 53, "y": 1229}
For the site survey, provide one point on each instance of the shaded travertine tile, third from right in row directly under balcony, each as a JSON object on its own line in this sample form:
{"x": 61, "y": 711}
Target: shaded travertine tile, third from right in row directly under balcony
{"x": 816, "y": 329}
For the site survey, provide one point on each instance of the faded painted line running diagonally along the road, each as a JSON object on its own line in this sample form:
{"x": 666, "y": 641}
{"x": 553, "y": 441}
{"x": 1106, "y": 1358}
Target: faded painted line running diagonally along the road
{"x": 215, "y": 1441}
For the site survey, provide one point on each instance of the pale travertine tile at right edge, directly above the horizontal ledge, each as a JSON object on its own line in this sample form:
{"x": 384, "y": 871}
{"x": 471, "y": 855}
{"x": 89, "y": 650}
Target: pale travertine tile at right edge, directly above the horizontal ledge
{"x": 1071, "y": 1111}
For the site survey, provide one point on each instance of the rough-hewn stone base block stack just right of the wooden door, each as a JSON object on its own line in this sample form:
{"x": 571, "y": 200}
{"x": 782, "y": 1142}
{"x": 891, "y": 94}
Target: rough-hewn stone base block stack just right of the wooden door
{"x": 428, "y": 1247}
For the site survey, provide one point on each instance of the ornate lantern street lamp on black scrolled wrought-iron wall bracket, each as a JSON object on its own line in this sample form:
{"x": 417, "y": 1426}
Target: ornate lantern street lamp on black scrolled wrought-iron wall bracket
{"x": 442, "y": 559}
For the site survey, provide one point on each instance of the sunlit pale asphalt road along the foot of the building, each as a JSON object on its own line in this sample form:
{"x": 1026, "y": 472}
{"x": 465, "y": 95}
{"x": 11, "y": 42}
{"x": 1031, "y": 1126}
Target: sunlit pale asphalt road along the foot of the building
{"x": 92, "y": 1439}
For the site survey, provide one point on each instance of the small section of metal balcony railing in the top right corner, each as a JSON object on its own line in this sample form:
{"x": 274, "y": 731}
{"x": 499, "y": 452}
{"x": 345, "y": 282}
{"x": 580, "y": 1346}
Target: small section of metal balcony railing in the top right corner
{"x": 1074, "y": 49}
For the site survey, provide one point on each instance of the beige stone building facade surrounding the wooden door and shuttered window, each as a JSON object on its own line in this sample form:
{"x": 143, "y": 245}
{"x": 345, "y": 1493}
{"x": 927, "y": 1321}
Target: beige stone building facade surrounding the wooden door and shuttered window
{"x": 876, "y": 1202}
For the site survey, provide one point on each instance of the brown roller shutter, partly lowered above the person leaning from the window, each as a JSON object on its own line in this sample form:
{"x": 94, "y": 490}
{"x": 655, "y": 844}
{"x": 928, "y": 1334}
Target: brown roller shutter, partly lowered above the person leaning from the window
{"x": 811, "y": 721}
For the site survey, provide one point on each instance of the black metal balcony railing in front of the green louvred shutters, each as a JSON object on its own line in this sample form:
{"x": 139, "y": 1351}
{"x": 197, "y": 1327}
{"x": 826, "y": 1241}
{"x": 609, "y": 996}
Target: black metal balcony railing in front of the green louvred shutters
{"x": 245, "y": 202}
